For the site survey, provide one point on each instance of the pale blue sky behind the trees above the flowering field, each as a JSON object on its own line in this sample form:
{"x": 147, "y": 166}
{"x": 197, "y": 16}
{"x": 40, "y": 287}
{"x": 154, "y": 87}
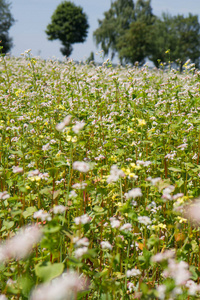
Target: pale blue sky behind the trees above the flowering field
{"x": 34, "y": 15}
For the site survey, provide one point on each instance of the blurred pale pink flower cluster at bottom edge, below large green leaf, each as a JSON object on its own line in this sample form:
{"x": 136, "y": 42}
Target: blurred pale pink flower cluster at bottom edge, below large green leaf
{"x": 63, "y": 287}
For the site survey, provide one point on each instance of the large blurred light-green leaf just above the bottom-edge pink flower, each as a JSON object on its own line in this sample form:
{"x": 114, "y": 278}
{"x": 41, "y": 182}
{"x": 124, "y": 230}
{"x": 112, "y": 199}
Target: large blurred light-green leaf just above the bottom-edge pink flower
{"x": 47, "y": 271}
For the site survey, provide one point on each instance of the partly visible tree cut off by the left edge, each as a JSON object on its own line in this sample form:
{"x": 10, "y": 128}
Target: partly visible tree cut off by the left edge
{"x": 6, "y": 21}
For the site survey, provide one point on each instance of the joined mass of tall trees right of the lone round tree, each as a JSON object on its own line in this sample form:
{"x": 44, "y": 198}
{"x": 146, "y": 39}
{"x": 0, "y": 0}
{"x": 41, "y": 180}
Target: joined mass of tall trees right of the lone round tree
{"x": 135, "y": 34}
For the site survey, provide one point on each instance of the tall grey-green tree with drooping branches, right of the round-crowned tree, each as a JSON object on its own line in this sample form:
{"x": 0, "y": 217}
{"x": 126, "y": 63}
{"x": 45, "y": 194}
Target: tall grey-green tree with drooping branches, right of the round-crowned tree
{"x": 124, "y": 30}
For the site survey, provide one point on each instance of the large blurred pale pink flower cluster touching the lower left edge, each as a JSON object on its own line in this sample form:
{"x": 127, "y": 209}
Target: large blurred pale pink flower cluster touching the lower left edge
{"x": 21, "y": 244}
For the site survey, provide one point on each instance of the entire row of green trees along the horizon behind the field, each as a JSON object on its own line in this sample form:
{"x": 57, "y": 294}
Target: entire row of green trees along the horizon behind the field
{"x": 129, "y": 30}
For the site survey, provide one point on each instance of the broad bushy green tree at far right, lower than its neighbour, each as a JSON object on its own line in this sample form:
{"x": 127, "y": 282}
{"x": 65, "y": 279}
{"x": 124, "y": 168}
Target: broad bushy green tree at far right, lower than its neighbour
{"x": 179, "y": 34}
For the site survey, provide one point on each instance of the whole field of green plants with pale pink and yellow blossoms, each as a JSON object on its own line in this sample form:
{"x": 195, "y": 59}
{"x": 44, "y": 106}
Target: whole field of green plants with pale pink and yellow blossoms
{"x": 99, "y": 167}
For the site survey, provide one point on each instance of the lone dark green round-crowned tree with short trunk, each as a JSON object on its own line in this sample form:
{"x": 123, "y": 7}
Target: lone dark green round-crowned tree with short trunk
{"x": 69, "y": 25}
